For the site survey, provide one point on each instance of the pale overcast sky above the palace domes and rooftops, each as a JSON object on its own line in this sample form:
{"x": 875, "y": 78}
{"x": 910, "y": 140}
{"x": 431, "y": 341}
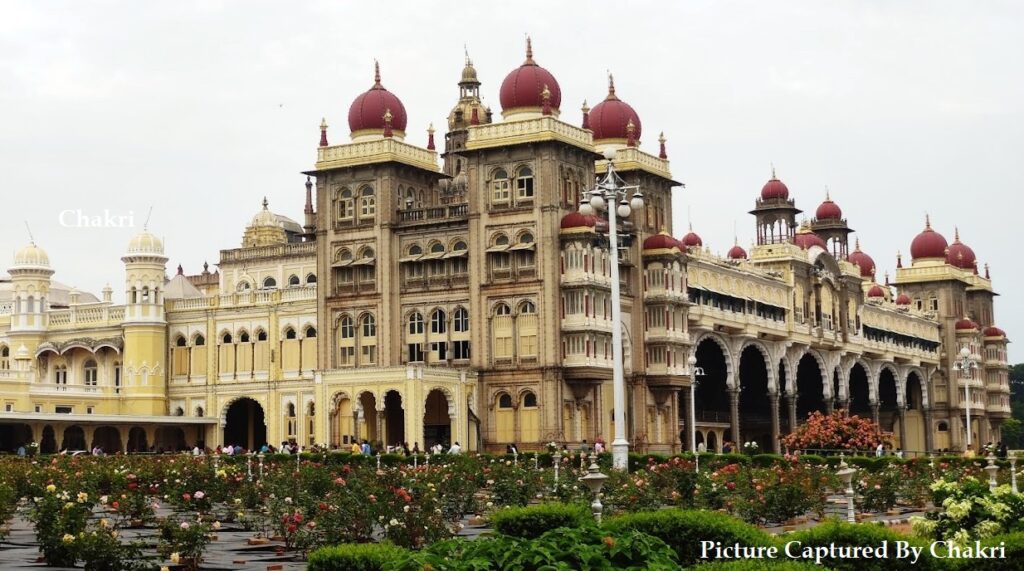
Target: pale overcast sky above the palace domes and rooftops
{"x": 200, "y": 109}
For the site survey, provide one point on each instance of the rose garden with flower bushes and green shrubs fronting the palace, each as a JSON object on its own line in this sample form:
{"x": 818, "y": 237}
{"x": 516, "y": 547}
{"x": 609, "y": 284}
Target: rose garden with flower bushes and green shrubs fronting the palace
{"x": 330, "y": 511}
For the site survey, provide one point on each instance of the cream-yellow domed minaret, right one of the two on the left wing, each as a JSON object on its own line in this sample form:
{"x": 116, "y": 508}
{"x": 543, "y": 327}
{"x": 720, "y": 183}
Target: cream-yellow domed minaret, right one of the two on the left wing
{"x": 145, "y": 373}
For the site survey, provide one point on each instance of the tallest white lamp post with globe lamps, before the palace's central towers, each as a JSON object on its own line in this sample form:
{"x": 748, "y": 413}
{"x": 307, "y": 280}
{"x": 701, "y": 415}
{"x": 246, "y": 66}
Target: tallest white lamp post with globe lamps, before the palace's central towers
{"x": 610, "y": 197}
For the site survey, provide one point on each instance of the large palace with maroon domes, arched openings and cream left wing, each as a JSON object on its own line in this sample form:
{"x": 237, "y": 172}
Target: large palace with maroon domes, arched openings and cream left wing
{"x": 461, "y": 295}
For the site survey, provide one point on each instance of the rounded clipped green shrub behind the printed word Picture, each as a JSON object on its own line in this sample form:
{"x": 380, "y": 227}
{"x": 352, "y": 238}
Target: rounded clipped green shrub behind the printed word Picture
{"x": 684, "y": 531}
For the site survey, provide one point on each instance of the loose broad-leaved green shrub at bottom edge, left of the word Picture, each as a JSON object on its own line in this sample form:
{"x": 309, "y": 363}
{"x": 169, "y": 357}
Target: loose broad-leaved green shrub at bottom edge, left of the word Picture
{"x": 587, "y": 548}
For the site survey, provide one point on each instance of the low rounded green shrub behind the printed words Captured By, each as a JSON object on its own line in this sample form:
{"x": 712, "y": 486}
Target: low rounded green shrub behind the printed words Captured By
{"x": 868, "y": 536}
